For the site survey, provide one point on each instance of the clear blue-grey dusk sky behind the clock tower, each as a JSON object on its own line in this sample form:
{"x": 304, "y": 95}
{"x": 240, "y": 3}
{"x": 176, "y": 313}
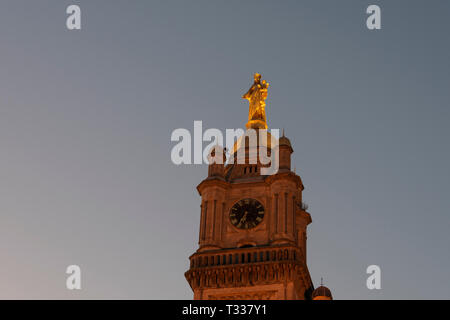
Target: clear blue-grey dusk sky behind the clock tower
{"x": 86, "y": 118}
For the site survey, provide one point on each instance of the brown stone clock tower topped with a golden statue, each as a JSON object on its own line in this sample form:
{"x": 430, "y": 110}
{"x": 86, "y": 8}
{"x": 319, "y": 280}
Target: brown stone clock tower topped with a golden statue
{"x": 252, "y": 235}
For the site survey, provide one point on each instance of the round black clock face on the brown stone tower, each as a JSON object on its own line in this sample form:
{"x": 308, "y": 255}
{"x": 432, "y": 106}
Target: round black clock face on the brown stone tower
{"x": 246, "y": 213}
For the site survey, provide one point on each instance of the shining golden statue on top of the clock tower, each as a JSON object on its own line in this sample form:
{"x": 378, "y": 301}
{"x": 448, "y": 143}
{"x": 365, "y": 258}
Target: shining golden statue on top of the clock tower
{"x": 256, "y": 96}
